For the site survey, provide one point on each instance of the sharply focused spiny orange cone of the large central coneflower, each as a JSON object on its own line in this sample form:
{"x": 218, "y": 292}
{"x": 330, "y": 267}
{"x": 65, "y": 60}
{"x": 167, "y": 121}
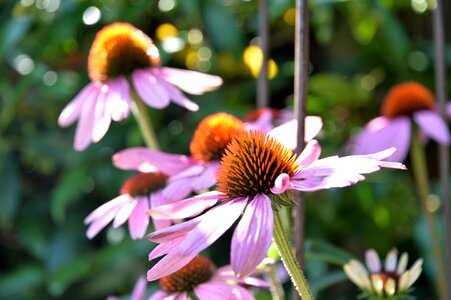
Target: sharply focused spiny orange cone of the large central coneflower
{"x": 251, "y": 164}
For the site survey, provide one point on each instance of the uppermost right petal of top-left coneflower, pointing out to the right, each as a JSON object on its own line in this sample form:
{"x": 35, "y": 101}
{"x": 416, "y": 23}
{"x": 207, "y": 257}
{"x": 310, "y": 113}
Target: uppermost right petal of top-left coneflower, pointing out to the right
{"x": 192, "y": 82}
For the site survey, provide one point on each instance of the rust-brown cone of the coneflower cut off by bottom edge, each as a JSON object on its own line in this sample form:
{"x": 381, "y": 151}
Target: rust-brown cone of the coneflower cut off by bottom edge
{"x": 197, "y": 271}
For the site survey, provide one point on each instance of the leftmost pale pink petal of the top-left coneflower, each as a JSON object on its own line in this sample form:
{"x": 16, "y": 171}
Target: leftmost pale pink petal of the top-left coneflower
{"x": 73, "y": 109}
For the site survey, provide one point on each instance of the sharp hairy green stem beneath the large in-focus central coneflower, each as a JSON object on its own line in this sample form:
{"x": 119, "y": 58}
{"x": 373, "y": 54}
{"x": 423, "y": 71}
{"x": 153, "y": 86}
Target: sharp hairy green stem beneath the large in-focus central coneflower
{"x": 289, "y": 260}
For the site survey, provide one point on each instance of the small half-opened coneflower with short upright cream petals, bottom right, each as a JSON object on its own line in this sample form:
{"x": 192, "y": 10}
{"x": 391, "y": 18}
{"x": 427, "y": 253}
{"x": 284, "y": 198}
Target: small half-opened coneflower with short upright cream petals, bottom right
{"x": 392, "y": 281}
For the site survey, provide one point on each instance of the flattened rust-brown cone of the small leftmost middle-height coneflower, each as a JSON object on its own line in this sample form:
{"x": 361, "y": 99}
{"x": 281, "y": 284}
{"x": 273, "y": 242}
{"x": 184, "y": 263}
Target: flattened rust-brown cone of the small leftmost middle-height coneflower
{"x": 143, "y": 184}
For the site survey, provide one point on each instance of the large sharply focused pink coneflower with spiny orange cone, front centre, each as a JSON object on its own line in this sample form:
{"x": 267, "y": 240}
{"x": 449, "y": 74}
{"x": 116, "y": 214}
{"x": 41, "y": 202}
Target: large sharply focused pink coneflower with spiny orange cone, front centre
{"x": 255, "y": 170}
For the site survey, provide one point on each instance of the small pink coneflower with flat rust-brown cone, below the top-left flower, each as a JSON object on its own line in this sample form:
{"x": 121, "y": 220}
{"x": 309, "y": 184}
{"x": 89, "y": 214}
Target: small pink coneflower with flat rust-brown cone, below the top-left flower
{"x": 138, "y": 194}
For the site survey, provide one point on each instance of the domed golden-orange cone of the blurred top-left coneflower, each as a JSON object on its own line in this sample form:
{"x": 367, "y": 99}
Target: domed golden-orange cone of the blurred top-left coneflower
{"x": 119, "y": 49}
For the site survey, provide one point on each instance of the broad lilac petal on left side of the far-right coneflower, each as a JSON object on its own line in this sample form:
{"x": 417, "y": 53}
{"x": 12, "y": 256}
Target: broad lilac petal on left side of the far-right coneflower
{"x": 382, "y": 133}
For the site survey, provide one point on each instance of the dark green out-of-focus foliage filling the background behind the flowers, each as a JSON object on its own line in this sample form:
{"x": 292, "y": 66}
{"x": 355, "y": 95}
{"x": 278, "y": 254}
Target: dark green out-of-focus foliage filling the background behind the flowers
{"x": 358, "y": 50}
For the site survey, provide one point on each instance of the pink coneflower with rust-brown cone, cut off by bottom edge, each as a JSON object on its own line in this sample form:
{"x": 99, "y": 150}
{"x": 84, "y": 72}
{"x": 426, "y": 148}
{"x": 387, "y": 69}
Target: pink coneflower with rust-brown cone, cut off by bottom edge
{"x": 200, "y": 277}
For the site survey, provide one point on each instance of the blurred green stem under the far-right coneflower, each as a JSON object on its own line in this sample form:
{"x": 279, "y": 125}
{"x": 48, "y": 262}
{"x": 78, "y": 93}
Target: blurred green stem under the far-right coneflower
{"x": 420, "y": 173}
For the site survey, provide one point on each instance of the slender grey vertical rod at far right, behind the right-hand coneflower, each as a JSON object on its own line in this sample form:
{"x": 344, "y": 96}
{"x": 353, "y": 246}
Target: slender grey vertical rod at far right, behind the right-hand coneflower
{"x": 440, "y": 90}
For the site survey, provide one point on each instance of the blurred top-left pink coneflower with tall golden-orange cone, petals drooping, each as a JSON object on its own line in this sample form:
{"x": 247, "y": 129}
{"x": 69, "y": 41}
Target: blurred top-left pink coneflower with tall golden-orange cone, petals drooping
{"x": 121, "y": 51}
